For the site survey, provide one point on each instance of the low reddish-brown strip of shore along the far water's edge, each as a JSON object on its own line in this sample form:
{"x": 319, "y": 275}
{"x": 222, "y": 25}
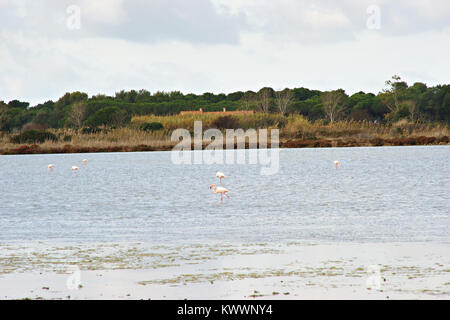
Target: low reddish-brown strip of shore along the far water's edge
{"x": 291, "y": 143}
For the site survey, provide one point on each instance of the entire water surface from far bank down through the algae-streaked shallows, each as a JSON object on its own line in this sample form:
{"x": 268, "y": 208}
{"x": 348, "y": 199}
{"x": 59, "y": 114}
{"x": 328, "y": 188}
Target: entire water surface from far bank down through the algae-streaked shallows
{"x": 138, "y": 226}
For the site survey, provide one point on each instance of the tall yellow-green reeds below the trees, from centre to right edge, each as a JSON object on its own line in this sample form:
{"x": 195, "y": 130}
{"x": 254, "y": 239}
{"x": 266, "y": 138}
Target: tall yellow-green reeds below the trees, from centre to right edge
{"x": 296, "y": 126}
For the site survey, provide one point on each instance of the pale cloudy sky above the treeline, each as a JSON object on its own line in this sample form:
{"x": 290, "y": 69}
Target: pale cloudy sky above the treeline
{"x": 48, "y": 48}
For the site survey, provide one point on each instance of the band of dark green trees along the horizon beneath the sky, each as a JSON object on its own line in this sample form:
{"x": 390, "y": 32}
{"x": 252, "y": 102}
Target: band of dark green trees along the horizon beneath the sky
{"x": 416, "y": 103}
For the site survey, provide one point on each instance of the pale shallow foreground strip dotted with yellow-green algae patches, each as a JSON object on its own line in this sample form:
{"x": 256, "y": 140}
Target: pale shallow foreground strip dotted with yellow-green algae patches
{"x": 225, "y": 271}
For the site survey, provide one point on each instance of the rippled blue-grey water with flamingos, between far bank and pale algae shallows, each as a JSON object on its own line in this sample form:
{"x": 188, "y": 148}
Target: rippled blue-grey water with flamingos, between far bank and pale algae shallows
{"x": 378, "y": 194}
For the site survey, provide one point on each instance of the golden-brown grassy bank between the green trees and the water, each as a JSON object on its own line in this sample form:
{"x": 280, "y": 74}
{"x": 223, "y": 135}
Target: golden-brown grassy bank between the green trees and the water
{"x": 295, "y": 132}
